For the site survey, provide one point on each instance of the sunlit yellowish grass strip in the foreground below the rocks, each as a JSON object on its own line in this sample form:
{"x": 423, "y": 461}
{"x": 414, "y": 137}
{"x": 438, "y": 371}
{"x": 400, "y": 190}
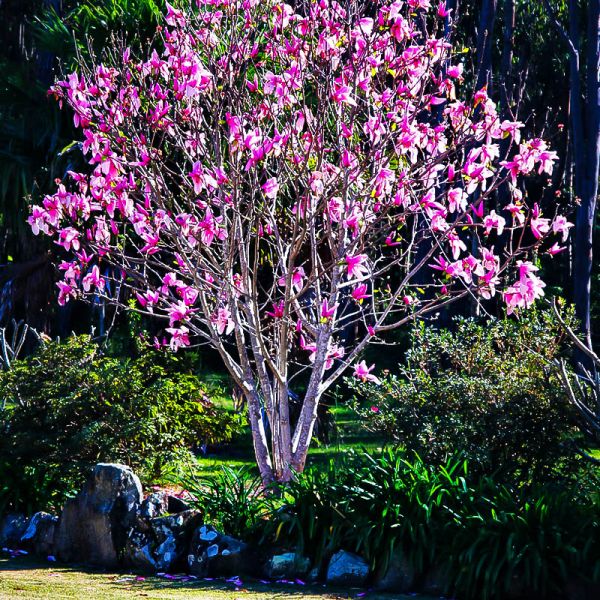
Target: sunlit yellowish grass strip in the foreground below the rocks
{"x": 27, "y": 578}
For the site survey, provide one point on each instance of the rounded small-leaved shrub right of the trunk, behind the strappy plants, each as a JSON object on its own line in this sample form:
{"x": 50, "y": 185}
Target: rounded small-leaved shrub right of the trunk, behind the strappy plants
{"x": 488, "y": 390}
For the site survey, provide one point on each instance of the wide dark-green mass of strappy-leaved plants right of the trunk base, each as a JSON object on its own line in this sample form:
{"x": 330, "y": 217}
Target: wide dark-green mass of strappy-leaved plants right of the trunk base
{"x": 486, "y": 539}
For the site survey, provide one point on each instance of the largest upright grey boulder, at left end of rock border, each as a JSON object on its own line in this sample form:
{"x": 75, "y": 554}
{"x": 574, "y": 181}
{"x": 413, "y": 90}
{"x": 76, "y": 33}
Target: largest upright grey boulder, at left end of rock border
{"x": 94, "y": 526}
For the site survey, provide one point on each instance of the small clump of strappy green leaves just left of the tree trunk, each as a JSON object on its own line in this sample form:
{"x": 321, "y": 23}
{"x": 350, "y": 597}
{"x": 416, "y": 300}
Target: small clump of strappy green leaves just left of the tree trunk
{"x": 232, "y": 500}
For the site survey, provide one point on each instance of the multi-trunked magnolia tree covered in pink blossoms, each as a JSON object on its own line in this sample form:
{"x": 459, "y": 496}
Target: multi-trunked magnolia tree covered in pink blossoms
{"x": 288, "y": 184}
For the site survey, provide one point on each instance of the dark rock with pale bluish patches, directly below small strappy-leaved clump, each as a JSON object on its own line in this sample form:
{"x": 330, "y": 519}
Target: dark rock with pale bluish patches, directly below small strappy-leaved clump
{"x": 212, "y": 553}
